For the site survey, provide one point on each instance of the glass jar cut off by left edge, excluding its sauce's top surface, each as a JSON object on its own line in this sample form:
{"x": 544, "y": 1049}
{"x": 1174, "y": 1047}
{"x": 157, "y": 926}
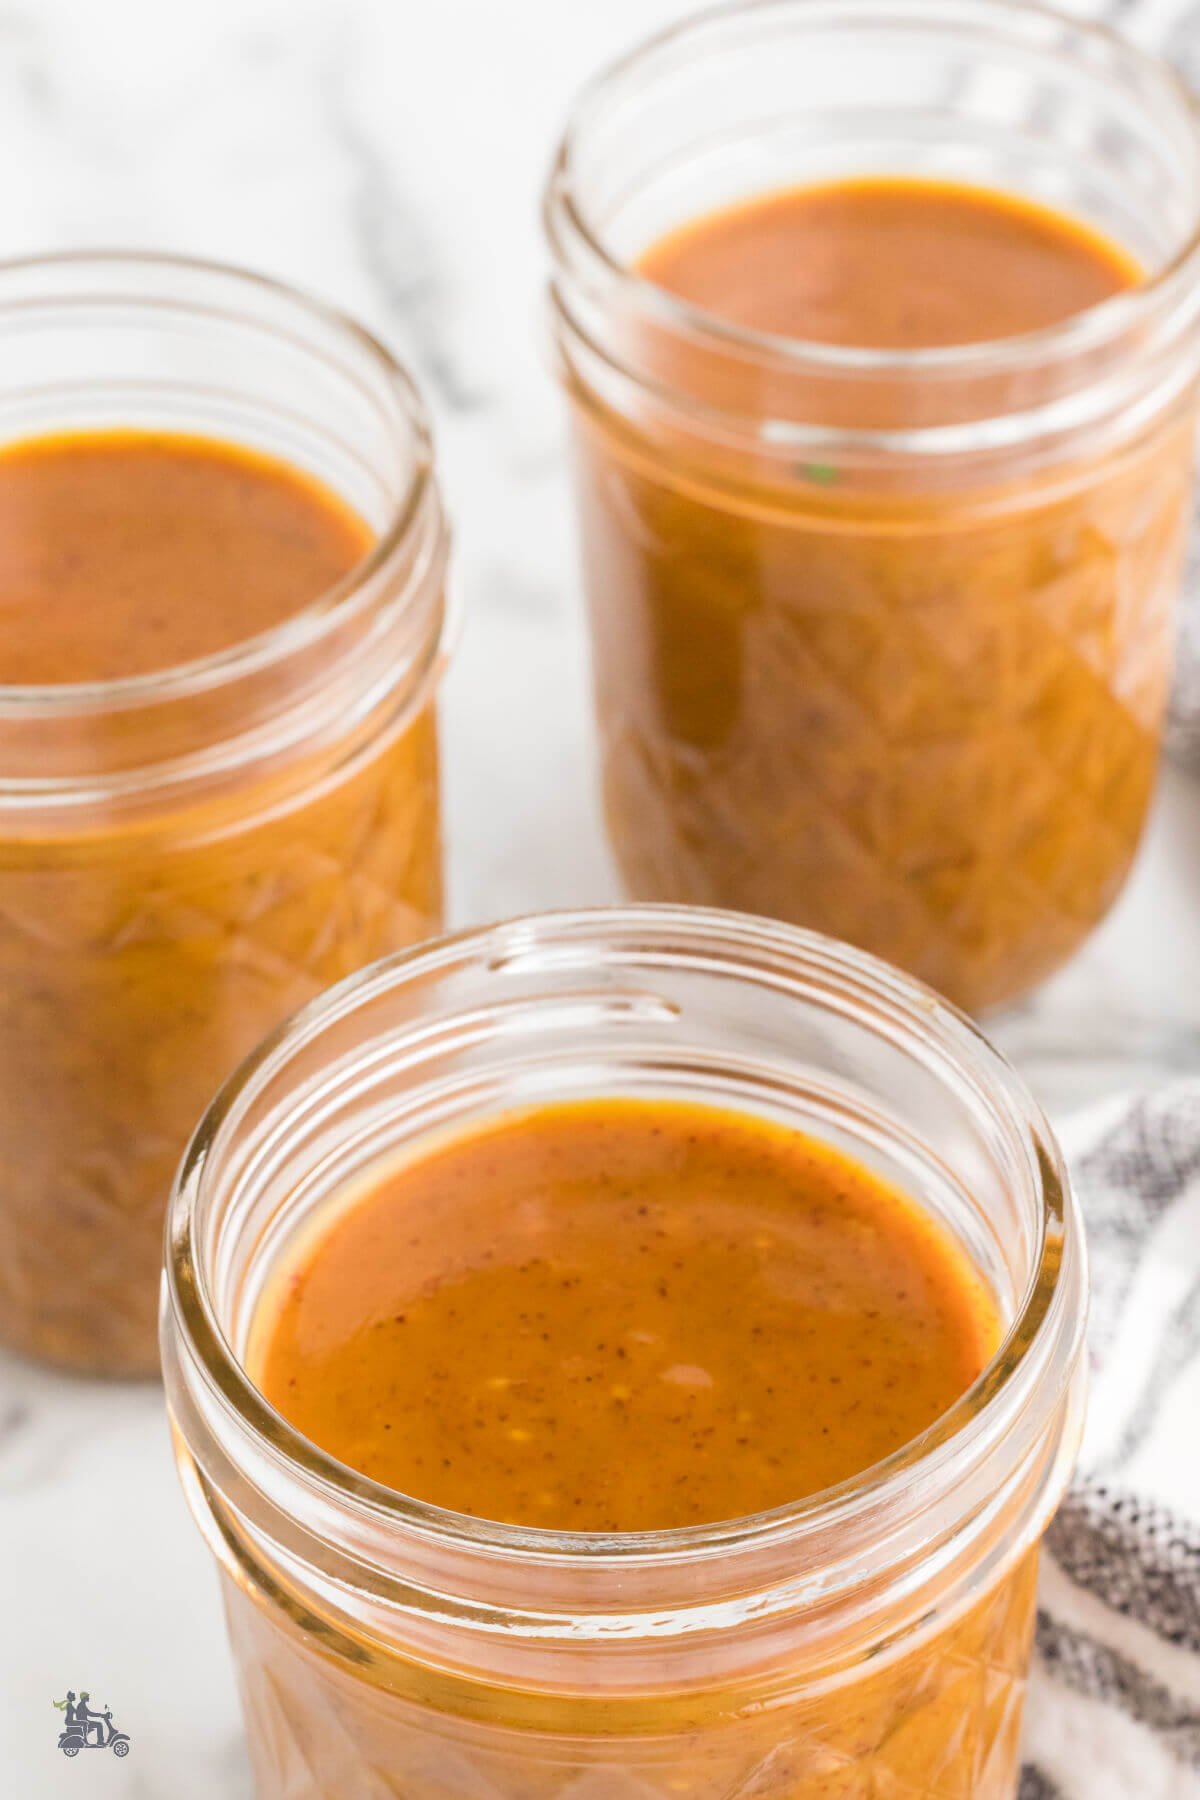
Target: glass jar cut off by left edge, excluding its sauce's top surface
{"x": 190, "y": 856}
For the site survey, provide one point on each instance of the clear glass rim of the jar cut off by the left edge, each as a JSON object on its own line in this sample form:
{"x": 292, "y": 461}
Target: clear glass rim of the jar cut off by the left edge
{"x": 327, "y": 611}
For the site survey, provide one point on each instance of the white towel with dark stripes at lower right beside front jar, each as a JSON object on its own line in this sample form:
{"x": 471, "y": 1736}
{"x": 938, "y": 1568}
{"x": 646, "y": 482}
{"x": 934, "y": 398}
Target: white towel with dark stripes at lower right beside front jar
{"x": 1115, "y": 1707}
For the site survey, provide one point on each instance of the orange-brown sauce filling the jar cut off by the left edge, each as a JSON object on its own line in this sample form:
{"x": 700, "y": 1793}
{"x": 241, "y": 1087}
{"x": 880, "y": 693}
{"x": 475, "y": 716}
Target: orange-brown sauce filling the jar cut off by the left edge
{"x": 147, "y": 948}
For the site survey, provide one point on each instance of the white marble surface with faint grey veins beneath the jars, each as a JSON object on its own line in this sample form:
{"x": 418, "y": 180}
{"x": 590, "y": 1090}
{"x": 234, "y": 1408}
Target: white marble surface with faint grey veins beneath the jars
{"x": 388, "y": 156}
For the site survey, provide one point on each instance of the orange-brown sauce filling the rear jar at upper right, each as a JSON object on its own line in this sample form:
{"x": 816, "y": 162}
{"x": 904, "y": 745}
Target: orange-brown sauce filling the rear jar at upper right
{"x": 909, "y": 705}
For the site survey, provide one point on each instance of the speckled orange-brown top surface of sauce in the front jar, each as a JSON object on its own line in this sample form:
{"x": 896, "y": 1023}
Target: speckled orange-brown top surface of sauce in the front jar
{"x": 622, "y": 1317}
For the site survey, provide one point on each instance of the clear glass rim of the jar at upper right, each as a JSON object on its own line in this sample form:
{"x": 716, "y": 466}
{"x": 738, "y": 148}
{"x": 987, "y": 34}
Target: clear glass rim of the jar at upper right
{"x": 575, "y": 237}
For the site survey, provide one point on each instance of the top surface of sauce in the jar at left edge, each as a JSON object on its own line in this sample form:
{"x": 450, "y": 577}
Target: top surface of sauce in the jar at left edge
{"x": 127, "y": 552}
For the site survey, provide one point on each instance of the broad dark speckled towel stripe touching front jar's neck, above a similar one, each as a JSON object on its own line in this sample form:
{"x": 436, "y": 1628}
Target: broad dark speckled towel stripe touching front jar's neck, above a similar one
{"x": 1138, "y": 1558}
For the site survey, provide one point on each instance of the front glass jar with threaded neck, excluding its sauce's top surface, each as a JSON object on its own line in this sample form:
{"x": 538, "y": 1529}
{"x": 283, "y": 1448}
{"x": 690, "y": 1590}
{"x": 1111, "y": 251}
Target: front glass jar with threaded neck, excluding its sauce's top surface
{"x": 879, "y": 1630}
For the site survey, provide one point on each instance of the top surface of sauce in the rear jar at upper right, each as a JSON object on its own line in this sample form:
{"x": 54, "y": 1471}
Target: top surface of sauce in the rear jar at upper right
{"x": 890, "y": 265}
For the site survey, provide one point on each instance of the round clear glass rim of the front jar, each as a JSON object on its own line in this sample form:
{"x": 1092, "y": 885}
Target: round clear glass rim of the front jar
{"x": 1041, "y": 1313}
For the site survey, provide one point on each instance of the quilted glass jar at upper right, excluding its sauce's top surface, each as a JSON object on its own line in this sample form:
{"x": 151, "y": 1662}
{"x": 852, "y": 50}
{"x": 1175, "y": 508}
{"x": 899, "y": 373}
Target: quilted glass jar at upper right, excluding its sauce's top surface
{"x": 882, "y": 638}
